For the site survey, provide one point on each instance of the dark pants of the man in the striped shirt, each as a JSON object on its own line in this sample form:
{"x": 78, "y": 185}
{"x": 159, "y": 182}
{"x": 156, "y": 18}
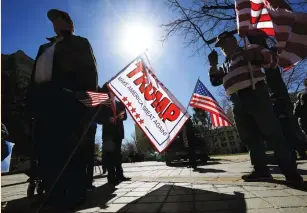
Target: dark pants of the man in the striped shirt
{"x": 254, "y": 117}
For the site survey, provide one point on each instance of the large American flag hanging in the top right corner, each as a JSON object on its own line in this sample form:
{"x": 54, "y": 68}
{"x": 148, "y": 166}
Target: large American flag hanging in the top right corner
{"x": 275, "y": 18}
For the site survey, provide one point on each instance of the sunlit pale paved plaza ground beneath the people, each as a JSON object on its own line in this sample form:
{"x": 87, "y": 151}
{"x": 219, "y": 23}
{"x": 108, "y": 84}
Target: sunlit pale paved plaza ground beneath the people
{"x": 214, "y": 188}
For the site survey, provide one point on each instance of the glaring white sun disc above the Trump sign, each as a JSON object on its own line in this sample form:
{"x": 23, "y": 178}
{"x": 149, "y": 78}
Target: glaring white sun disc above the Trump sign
{"x": 136, "y": 38}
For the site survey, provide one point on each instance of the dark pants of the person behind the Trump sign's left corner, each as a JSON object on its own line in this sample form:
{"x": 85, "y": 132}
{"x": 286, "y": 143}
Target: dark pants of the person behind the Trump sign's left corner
{"x": 113, "y": 161}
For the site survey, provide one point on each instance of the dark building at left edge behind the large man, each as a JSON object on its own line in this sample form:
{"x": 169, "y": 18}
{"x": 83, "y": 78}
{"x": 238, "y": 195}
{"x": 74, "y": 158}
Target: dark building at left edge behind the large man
{"x": 15, "y": 78}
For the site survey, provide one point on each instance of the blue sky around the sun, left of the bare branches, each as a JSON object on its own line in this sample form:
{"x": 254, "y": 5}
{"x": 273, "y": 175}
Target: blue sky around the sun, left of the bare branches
{"x": 103, "y": 22}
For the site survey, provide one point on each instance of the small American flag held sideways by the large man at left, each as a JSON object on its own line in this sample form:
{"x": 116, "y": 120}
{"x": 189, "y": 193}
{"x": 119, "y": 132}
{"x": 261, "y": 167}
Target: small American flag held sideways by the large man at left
{"x": 92, "y": 99}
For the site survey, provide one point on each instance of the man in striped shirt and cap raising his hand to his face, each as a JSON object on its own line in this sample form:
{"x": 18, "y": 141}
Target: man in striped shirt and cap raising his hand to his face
{"x": 252, "y": 107}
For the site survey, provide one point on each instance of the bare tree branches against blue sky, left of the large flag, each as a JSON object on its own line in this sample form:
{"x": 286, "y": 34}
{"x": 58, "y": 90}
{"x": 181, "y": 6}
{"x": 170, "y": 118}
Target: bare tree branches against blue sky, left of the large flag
{"x": 200, "y": 22}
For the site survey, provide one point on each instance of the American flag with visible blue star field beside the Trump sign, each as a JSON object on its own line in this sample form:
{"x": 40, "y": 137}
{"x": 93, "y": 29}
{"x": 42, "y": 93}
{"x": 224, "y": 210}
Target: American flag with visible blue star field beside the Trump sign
{"x": 203, "y": 99}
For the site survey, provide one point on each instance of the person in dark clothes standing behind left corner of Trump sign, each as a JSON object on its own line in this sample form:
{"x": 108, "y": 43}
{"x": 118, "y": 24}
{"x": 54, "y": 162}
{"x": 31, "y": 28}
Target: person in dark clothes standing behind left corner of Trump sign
{"x": 112, "y": 117}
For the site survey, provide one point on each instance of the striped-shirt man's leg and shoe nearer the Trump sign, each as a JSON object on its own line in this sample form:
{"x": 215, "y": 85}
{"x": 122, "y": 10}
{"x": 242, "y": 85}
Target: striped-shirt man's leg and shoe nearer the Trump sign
{"x": 250, "y": 135}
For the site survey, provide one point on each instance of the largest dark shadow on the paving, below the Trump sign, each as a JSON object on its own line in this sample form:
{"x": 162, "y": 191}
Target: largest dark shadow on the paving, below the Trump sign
{"x": 170, "y": 198}
